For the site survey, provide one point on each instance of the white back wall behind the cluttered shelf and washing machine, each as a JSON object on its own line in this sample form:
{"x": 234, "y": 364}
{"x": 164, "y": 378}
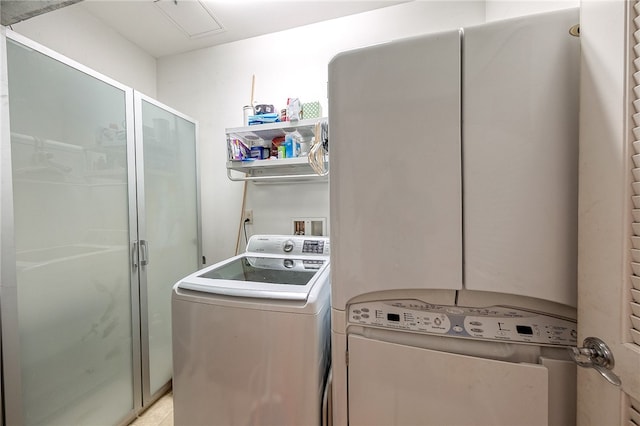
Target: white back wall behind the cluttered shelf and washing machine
{"x": 212, "y": 85}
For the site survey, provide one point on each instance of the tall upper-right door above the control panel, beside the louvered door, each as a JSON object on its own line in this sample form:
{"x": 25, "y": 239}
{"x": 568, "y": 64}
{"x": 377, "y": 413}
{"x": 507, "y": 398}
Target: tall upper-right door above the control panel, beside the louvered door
{"x": 520, "y": 136}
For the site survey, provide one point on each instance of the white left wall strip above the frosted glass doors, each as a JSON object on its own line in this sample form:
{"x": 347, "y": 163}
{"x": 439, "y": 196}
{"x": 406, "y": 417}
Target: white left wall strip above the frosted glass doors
{"x": 75, "y": 33}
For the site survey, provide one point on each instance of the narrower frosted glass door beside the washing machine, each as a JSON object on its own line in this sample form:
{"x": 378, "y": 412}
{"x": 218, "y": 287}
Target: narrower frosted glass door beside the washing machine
{"x": 168, "y": 228}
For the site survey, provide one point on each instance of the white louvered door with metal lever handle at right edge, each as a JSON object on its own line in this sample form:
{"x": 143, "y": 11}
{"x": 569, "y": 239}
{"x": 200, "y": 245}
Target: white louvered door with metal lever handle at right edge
{"x": 606, "y": 207}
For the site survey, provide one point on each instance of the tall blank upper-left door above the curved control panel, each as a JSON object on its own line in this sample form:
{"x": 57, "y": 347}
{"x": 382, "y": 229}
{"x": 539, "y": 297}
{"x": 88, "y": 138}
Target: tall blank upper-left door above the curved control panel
{"x": 395, "y": 187}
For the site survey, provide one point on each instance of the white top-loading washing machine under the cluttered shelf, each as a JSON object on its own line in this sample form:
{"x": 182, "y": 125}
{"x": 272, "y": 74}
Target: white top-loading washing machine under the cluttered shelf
{"x": 251, "y": 336}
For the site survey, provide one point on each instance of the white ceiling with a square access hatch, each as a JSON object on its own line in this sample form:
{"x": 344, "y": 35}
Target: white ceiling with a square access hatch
{"x": 151, "y": 24}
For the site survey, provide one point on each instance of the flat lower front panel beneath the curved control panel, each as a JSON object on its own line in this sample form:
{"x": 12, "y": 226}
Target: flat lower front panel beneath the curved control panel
{"x": 393, "y": 384}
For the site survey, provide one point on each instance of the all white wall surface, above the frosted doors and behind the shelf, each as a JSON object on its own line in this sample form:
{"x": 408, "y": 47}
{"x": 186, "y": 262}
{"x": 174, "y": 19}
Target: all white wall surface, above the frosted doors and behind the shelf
{"x": 213, "y": 84}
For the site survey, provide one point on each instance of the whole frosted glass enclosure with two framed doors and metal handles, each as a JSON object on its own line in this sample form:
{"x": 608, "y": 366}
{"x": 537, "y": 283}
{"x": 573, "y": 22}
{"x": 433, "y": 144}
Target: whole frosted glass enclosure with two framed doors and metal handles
{"x": 105, "y": 204}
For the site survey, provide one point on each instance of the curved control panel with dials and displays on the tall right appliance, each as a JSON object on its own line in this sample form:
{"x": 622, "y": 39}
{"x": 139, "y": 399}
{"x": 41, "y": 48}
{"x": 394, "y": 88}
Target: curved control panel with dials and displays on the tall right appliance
{"x": 489, "y": 323}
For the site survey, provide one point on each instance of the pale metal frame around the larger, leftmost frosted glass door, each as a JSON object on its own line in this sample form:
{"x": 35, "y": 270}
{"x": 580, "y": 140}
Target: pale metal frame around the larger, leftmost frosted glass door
{"x": 12, "y": 401}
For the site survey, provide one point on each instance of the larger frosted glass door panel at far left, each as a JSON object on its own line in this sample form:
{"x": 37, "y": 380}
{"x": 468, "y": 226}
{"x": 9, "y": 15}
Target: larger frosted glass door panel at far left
{"x": 69, "y": 143}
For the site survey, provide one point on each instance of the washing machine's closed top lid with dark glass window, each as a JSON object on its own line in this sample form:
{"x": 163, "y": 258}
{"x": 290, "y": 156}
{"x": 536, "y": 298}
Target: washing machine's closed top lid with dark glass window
{"x": 266, "y": 277}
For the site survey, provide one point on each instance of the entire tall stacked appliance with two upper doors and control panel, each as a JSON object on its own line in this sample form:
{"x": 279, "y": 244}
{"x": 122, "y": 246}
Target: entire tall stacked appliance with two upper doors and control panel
{"x": 454, "y": 226}
